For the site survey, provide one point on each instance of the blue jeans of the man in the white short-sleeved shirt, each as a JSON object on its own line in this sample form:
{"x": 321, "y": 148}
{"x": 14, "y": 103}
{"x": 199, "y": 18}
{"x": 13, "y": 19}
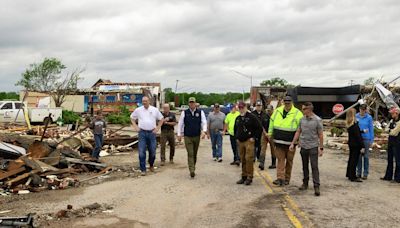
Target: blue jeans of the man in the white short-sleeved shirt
{"x": 147, "y": 140}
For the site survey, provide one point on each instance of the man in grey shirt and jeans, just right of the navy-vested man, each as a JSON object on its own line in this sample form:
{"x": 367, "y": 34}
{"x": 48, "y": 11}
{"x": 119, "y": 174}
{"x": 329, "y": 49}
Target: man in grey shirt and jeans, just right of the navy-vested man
{"x": 215, "y": 123}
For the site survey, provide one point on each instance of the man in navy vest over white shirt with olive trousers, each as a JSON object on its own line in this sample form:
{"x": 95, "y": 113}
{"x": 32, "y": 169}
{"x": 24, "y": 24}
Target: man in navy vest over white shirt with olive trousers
{"x": 192, "y": 124}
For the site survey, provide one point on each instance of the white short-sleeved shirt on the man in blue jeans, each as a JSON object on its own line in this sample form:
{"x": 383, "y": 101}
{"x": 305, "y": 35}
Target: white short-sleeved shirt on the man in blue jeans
{"x": 147, "y": 117}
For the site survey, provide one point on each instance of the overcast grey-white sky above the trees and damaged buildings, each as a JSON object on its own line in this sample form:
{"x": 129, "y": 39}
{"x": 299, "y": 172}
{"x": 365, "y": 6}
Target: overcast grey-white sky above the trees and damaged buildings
{"x": 199, "y": 43}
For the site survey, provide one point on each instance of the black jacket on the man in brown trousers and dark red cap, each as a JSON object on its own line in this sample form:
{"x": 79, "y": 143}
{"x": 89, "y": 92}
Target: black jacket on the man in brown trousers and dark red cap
{"x": 247, "y": 126}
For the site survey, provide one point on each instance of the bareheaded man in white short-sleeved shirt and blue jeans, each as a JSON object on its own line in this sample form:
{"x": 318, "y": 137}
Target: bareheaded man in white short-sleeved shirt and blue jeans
{"x": 147, "y": 116}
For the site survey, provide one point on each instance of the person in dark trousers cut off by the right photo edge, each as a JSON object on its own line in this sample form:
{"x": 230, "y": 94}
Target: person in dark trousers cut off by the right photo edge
{"x": 393, "y": 147}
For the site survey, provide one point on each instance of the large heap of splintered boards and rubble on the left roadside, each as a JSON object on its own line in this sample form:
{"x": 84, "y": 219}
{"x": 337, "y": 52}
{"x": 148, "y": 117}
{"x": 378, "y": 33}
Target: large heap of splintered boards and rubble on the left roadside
{"x": 31, "y": 165}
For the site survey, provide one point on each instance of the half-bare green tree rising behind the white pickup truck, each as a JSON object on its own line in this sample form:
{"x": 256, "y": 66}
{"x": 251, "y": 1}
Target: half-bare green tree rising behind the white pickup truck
{"x": 47, "y": 77}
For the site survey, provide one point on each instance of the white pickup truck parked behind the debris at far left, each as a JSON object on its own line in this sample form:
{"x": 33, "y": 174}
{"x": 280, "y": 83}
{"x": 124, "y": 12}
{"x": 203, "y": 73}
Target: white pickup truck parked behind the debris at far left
{"x": 10, "y": 109}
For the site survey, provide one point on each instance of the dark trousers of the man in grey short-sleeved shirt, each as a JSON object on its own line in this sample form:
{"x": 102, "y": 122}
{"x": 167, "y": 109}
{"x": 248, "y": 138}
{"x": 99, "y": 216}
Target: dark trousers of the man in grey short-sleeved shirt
{"x": 307, "y": 156}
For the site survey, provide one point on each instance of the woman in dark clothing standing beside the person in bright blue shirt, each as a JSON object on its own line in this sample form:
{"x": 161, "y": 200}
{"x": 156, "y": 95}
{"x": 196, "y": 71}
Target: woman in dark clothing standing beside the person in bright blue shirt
{"x": 355, "y": 145}
